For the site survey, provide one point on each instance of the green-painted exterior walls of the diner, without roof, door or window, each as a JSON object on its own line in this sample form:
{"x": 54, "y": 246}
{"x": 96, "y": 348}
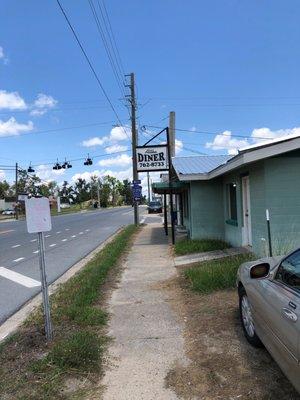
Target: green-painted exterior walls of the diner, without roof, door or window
{"x": 274, "y": 184}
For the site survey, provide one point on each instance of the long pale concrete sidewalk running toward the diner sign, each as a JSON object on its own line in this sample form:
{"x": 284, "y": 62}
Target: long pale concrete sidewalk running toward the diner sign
{"x": 148, "y": 338}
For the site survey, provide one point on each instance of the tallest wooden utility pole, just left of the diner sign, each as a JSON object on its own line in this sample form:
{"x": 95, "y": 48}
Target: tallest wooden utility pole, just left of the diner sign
{"x": 134, "y": 143}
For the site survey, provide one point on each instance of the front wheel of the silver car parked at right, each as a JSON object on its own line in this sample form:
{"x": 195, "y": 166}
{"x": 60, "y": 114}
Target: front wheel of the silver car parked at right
{"x": 247, "y": 319}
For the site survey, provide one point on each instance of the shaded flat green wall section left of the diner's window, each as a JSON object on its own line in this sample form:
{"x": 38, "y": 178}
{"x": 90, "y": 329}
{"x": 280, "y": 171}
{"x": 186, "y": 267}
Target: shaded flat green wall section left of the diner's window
{"x": 206, "y": 209}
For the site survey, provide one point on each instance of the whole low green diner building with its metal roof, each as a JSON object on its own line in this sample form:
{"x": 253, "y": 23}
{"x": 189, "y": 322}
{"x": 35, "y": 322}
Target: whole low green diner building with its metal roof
{"x": 227, "y": 197}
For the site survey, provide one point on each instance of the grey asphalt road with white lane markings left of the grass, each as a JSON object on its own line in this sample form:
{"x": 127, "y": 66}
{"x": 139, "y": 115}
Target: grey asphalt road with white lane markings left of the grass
{"x": 73, "y": 236}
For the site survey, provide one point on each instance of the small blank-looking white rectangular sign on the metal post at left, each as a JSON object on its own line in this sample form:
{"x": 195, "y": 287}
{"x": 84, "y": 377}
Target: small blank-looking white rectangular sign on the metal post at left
{"x": 38, "y": 216}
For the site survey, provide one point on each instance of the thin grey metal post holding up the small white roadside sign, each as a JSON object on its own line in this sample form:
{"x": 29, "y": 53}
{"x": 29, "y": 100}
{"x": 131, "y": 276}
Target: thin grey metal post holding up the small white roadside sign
{"x": 46, "y": 304}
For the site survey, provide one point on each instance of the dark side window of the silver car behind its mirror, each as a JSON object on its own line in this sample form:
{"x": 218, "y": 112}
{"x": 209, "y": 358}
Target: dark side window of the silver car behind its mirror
{"x": 289, "y": 270}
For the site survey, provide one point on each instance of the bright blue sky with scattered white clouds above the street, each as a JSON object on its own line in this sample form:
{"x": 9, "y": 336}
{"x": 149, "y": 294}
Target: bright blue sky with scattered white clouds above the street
{"x": 228, "y": 68}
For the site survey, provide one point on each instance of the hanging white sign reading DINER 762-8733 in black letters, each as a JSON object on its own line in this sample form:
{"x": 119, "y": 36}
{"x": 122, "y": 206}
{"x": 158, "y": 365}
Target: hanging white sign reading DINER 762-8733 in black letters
{"x": 152, "y": 158}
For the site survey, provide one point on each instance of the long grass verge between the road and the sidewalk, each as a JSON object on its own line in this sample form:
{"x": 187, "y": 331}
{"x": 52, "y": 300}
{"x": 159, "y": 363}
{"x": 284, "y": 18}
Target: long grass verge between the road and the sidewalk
{"x": 32, "y": 369}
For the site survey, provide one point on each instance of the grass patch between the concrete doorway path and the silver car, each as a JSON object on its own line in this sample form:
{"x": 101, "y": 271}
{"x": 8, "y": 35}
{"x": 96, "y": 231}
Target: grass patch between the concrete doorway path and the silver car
{"x": 220, "y": 274}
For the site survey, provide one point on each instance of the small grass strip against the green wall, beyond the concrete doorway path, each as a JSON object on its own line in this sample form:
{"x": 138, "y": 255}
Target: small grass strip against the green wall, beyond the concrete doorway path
{"x": 187, "y": 246}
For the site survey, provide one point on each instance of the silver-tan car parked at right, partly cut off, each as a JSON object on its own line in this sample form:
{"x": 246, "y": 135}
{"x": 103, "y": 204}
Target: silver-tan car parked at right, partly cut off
{"x": 269, "y": 299}
